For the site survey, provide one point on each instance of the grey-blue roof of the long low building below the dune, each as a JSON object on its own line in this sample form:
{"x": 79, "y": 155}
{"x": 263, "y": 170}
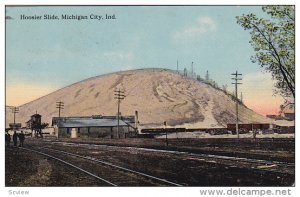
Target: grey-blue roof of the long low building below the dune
{"x": 88, "y": 122}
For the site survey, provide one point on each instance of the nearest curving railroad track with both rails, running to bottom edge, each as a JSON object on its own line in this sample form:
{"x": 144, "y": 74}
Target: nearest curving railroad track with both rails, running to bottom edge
{"x": 118, "y": 175}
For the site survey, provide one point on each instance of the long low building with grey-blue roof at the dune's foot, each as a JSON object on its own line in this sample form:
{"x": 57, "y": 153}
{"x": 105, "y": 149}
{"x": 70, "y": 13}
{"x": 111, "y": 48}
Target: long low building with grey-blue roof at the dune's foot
{"x": 94, "y": 126}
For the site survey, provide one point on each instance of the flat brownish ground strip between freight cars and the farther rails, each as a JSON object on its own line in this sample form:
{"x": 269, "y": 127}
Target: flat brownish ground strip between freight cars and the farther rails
{"x": 281, "y": 149}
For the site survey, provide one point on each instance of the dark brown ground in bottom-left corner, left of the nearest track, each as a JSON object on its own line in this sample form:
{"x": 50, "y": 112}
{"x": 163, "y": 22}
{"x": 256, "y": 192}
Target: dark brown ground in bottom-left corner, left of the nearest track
{"x": 27, "y": 169}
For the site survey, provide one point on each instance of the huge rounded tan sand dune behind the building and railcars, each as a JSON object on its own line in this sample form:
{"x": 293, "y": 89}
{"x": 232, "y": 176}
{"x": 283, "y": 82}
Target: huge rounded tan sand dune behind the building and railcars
{"x": 158, "y": 95}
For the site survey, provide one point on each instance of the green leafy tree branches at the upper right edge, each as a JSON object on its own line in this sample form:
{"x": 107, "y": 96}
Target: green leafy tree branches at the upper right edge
{"x": 273, "y": 41}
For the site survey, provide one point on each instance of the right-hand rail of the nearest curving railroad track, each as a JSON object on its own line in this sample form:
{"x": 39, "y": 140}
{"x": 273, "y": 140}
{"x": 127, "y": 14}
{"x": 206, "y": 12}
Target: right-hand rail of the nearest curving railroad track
{"x": 115, "y": 166}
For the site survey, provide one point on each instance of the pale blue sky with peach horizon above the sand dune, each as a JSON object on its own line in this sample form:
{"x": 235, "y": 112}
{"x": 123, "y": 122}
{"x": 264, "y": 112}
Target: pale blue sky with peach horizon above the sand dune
{"x": 46, "y": 55}
